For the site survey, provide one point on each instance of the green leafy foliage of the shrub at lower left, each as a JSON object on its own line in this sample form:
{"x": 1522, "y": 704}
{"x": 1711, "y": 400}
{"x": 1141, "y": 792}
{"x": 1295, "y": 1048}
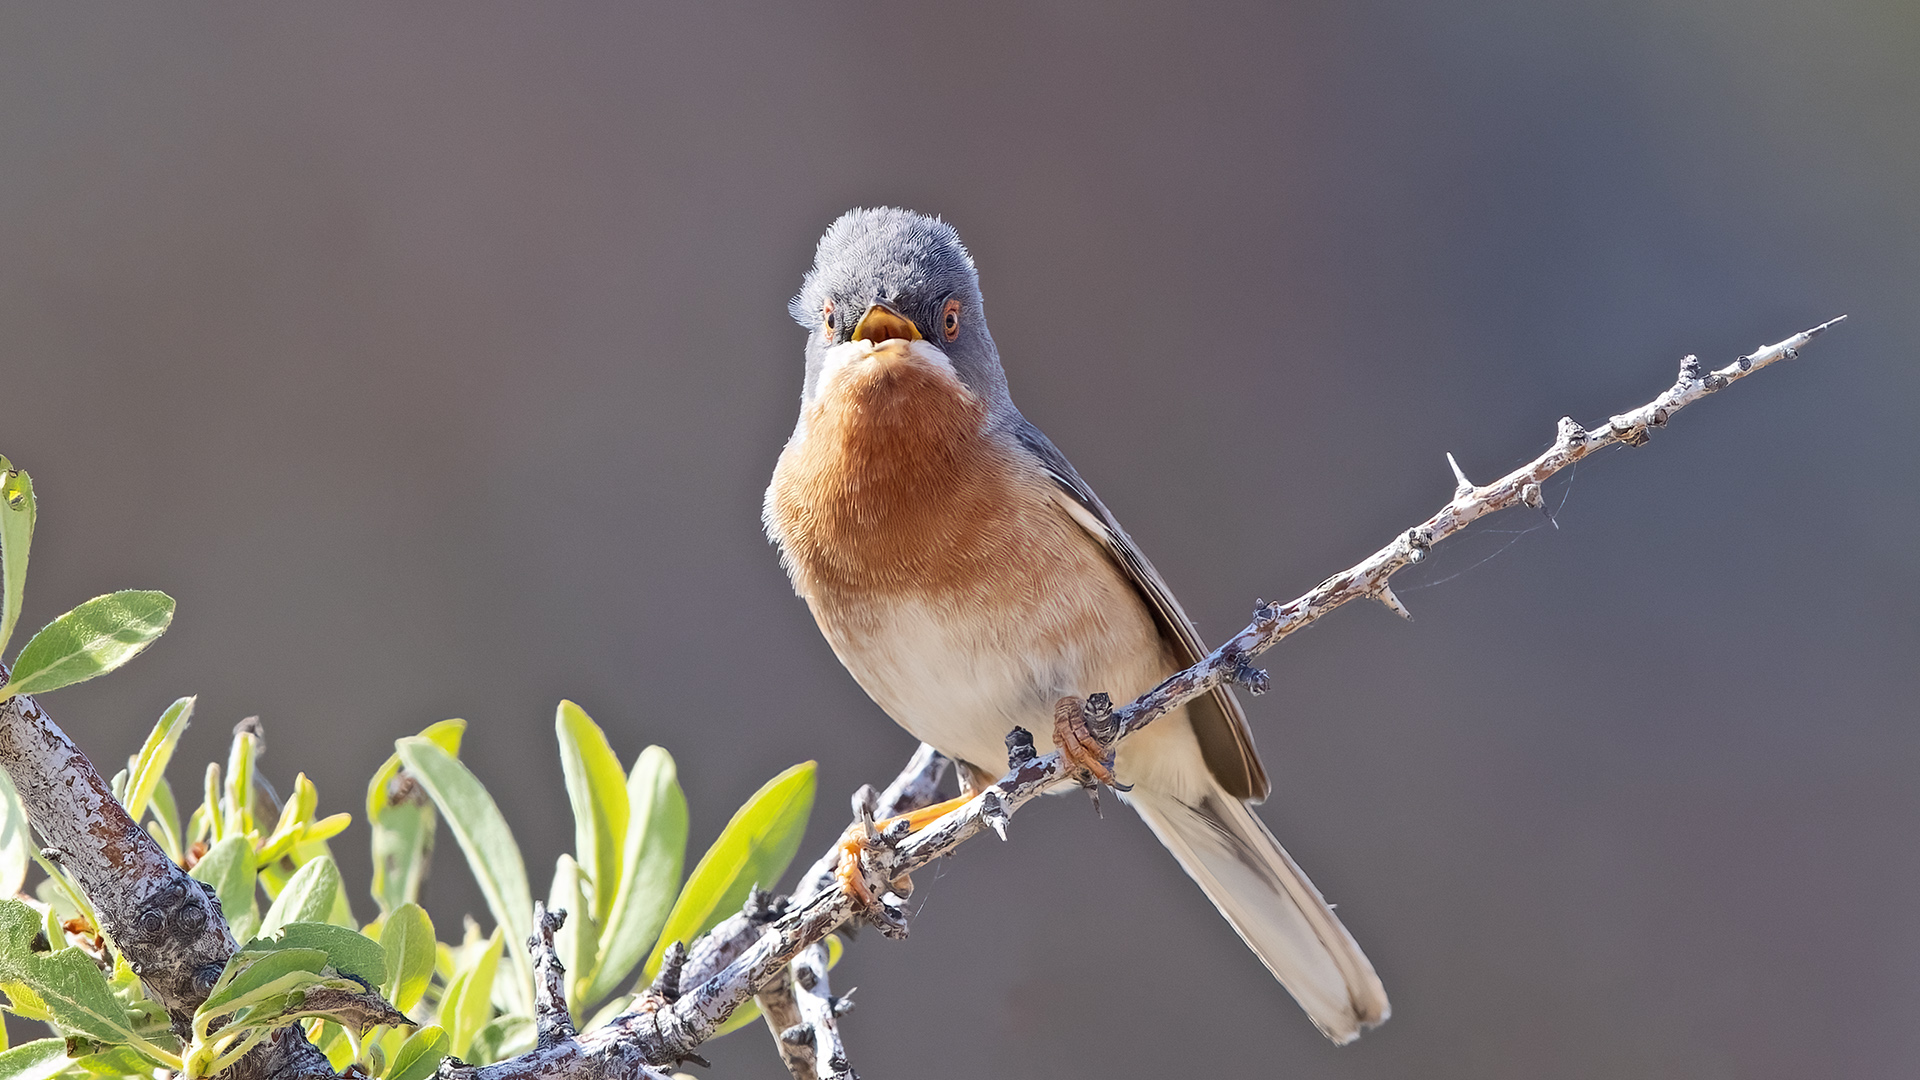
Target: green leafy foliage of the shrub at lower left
{"x": 389, "y": 994}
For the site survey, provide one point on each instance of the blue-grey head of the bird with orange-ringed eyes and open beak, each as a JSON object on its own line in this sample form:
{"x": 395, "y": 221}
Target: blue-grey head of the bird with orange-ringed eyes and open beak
{"x": 882, "y": 266}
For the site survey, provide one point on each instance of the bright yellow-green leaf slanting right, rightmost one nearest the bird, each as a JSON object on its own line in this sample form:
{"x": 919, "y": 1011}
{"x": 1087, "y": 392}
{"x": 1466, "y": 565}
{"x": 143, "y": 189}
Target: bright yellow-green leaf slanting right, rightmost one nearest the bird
{"x": 754, "y": 848}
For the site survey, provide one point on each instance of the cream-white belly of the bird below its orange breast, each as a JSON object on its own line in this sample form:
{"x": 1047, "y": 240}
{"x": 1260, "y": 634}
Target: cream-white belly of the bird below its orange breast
{"x": 961, "y": 681}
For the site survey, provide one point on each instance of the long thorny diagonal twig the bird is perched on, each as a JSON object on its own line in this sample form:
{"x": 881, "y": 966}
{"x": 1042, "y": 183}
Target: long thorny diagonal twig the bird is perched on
{"x": 667, "y": 1033}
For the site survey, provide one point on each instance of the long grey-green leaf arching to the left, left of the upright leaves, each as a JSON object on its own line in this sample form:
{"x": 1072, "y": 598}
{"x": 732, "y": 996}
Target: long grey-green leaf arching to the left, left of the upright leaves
{"x": 489, "y": 845}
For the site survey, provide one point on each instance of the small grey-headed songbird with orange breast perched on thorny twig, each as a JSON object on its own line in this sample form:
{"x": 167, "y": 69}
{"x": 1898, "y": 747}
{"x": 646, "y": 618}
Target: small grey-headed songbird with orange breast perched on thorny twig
{"x": 972, "y": 583}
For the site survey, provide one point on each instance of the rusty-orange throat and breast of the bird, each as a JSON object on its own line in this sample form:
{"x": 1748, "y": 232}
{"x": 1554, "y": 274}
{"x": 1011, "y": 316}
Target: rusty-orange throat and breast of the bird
{"x": 894, "y": 481}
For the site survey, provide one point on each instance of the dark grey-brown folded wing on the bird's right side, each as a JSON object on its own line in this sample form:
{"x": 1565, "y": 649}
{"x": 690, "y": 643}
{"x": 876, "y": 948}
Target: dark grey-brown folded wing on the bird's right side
{"x": 1218, "y": 722}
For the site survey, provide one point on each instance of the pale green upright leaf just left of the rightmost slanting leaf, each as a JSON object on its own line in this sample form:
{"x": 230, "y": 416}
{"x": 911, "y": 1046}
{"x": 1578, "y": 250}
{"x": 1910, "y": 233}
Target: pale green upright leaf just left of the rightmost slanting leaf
{"x": 656, "y": 854}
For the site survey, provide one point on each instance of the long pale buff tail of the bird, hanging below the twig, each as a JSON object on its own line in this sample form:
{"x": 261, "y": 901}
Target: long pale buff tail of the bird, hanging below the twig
{"x": 1274, "y": 906}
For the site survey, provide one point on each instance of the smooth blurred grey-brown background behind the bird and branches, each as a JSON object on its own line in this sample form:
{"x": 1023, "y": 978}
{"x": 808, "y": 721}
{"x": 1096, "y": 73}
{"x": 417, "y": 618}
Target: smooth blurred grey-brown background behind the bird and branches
{"x": 435, "y": 360}
